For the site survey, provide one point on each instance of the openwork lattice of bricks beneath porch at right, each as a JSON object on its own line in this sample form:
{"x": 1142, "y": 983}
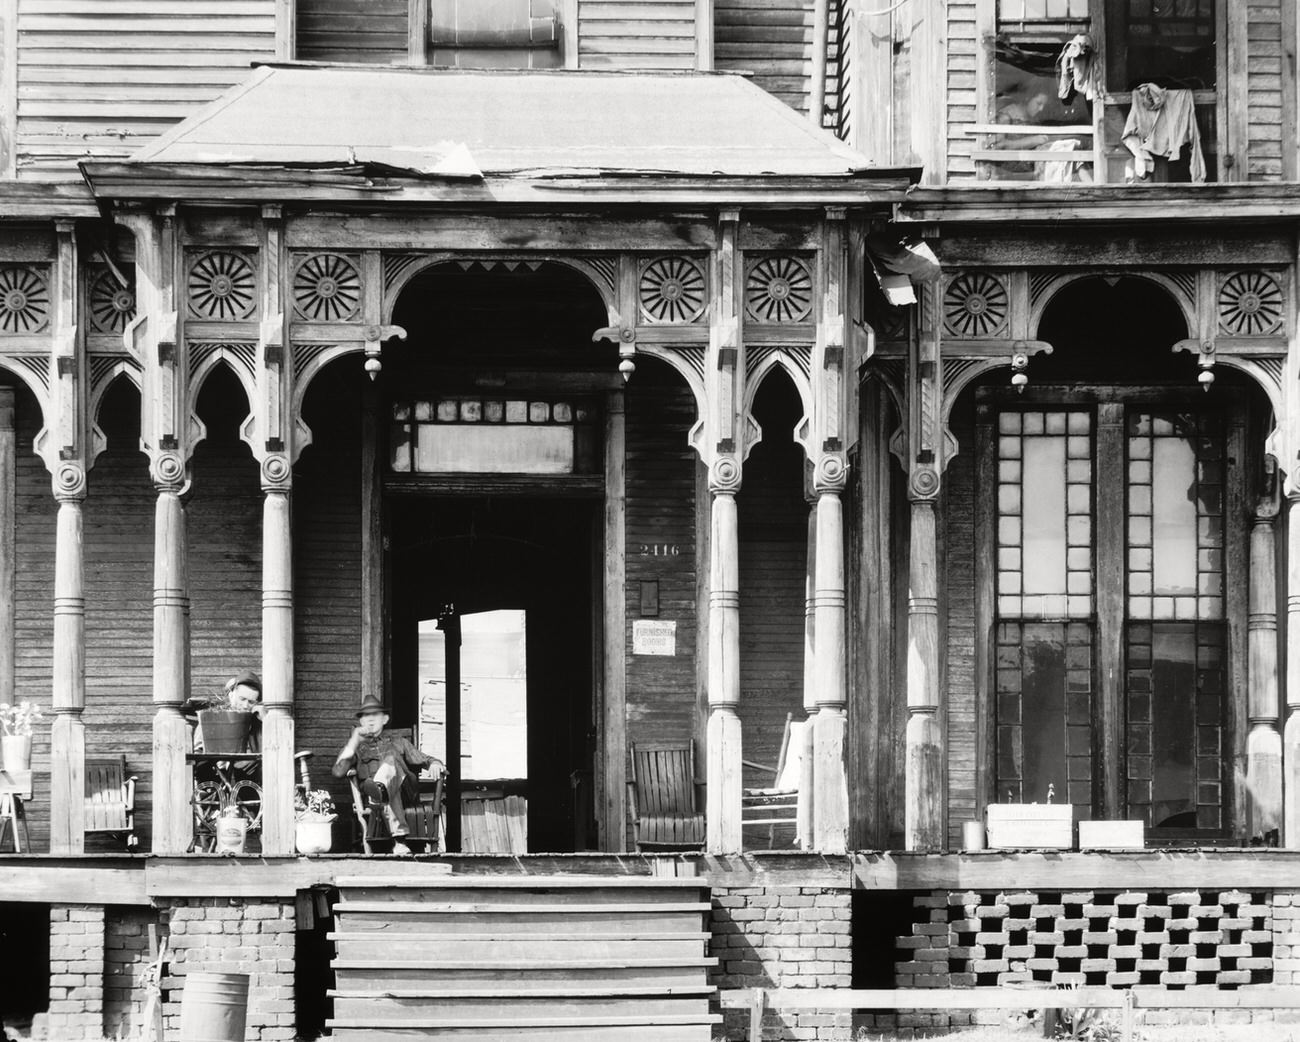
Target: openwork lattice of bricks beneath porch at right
{"x": 970, "y": 939}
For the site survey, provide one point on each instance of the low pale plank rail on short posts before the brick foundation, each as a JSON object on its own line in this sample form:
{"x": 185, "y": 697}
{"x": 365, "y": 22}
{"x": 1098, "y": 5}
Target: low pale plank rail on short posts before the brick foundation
{"x": 757, "y": 1001}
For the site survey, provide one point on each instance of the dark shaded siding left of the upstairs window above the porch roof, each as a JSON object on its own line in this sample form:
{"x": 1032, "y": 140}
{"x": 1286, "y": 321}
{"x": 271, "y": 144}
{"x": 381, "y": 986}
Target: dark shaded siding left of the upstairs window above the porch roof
{"x": 353, "y": 31}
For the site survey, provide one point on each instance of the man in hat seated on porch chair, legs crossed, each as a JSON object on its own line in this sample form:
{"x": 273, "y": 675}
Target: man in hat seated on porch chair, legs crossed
{"x": 387, "y": 767}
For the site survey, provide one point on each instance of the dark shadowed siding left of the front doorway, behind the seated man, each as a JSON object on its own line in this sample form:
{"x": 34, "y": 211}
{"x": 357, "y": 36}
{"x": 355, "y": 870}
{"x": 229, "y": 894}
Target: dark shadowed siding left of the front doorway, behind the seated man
{"x": 328, "y": 578}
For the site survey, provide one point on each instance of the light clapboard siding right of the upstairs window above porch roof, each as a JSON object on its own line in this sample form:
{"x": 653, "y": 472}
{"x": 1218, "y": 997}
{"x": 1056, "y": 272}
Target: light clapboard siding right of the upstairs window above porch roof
{"x": 636, "y": 34}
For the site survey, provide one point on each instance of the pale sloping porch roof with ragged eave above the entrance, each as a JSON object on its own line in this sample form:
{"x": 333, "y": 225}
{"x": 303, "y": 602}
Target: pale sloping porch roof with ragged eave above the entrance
{"x": 461, "y": 133}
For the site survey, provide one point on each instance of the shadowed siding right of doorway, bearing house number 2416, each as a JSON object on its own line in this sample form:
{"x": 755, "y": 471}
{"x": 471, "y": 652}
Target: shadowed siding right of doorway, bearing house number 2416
{"x": 661, "y": 511}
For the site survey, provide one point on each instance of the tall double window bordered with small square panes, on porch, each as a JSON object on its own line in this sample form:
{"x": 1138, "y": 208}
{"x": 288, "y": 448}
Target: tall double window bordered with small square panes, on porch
{"x": 1134, "y": 494}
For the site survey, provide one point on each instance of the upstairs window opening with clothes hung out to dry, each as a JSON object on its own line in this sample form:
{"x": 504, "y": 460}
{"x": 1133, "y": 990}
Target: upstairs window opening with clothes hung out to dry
{"x": 1128, "y": 89}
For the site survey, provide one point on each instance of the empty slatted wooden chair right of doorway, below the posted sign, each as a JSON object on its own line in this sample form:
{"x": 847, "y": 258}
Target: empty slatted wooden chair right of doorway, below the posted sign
{"x": 666, "y": 802}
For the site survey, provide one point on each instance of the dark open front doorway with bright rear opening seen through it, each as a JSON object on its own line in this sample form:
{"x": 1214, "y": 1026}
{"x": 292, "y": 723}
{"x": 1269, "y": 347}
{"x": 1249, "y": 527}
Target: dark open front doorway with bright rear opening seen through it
{"x": 501, "y": 591}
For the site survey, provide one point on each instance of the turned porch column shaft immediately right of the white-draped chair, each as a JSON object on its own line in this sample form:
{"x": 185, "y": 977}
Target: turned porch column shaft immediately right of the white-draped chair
{"x": 830, "y": 726}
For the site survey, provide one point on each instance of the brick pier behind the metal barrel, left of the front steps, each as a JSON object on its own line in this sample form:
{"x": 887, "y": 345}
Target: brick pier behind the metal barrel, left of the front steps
{"x": 229, "y": 936}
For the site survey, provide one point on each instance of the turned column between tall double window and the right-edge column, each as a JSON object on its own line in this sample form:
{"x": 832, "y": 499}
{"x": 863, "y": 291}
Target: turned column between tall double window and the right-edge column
{"x": 1264, "y": 740}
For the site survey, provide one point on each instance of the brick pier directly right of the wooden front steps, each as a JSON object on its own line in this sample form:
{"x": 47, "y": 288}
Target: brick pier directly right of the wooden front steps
{"x": 785, "y": 937}
